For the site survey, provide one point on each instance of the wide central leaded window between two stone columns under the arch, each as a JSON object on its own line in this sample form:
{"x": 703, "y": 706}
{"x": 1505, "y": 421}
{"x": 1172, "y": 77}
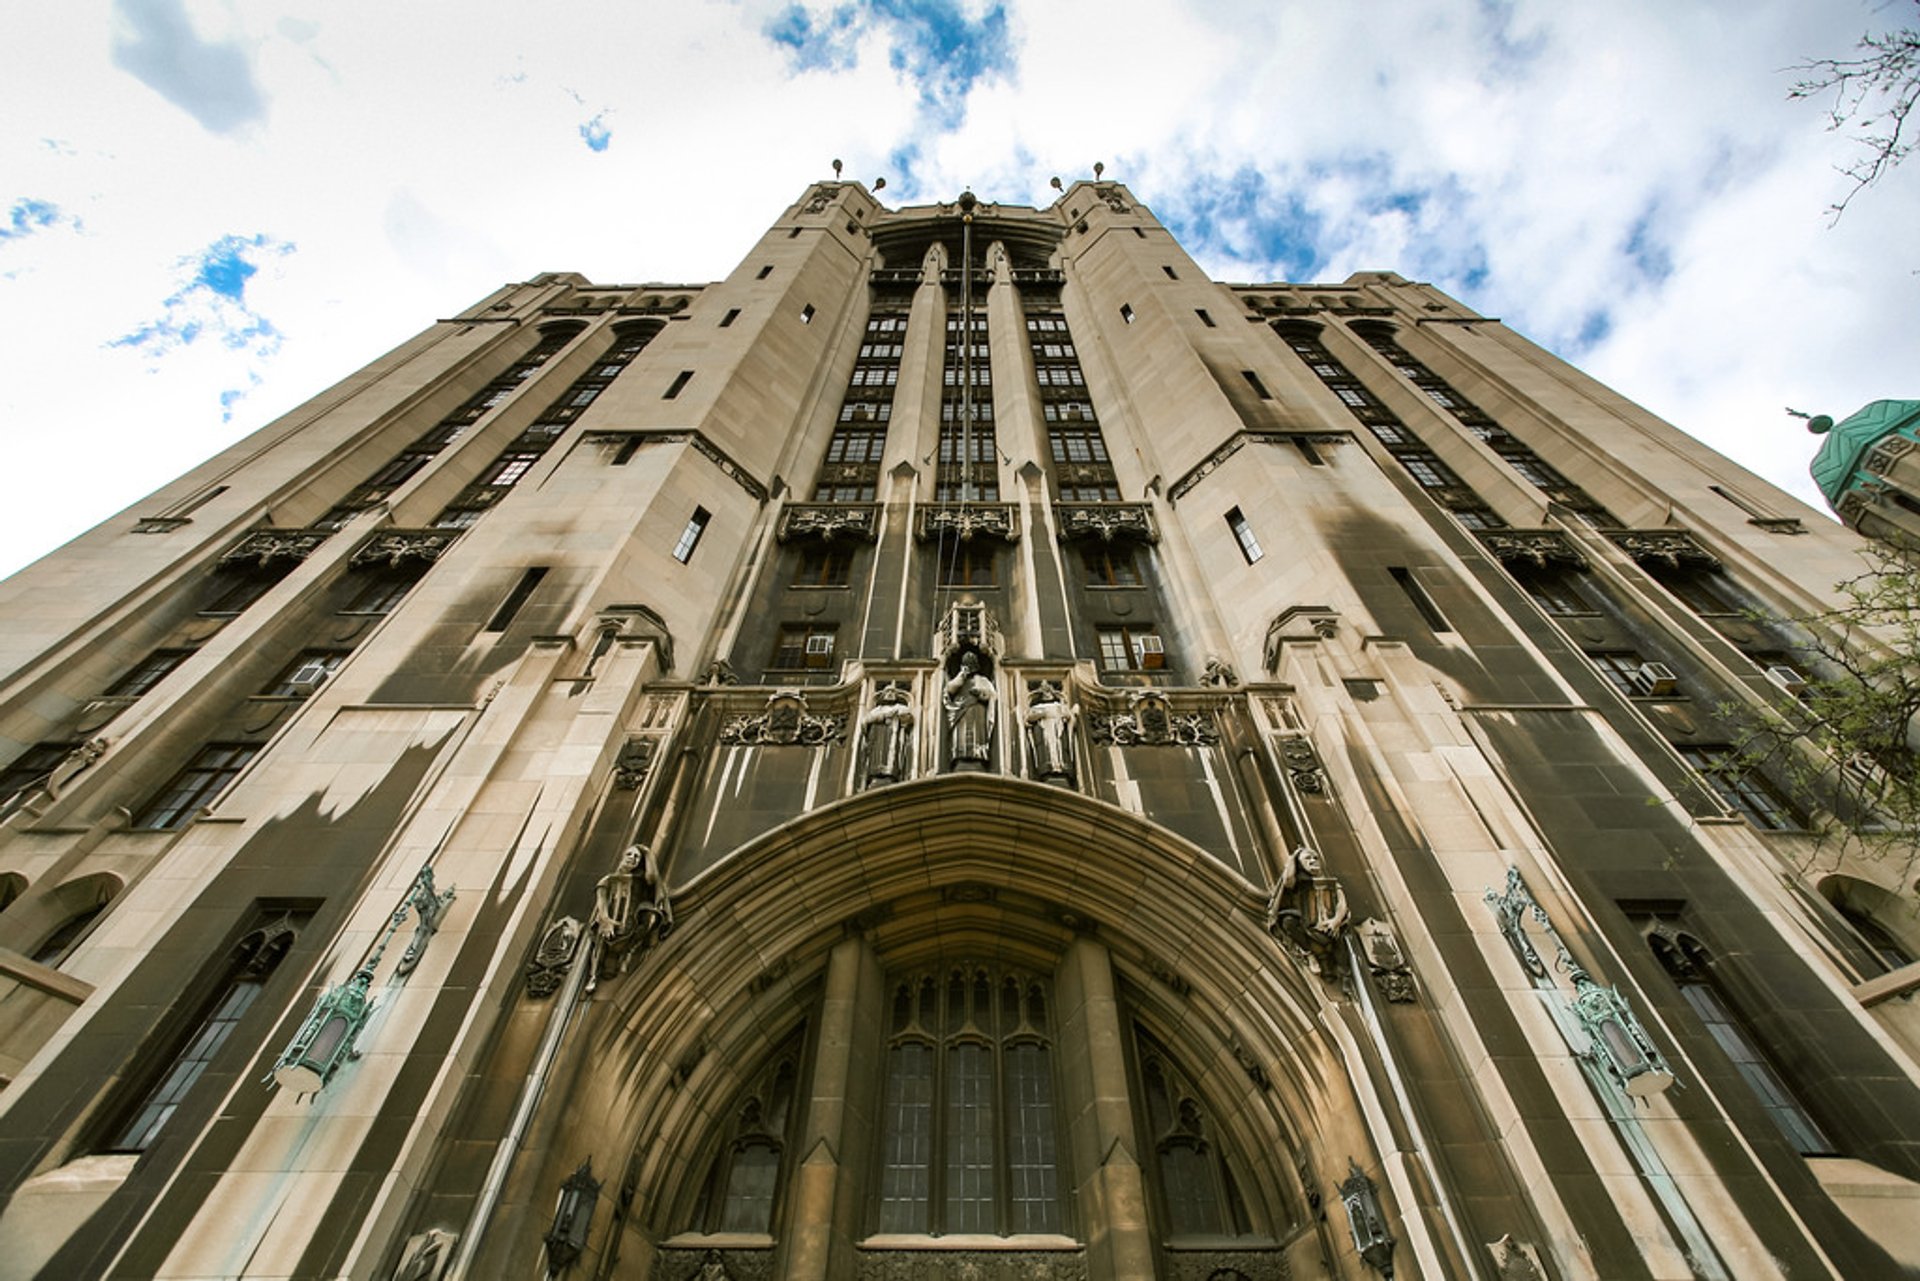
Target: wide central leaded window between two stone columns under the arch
{"x": 969, "y": 1126}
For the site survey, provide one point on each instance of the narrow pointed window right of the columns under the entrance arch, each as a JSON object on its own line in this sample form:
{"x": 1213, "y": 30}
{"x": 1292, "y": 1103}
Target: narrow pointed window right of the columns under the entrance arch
{"x": 1195, "y": 1182}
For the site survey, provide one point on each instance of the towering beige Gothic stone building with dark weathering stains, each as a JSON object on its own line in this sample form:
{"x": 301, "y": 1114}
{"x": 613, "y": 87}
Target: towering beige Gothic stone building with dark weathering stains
{"x": 961, "y": 750}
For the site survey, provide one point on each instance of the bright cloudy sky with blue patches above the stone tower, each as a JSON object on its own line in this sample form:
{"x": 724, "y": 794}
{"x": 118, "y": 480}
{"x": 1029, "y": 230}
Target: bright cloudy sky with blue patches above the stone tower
{"x": 212, "y": 210}
